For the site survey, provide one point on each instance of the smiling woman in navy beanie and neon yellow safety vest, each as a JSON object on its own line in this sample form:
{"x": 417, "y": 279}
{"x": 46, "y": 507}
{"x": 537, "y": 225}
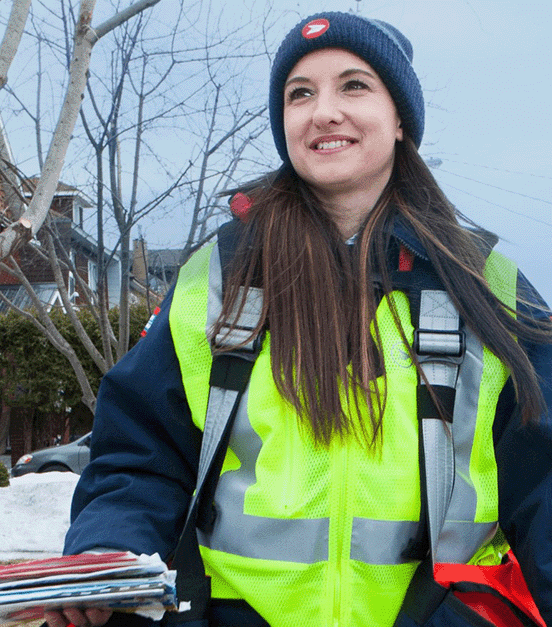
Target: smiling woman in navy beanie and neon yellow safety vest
{"x": 319, "y": 505}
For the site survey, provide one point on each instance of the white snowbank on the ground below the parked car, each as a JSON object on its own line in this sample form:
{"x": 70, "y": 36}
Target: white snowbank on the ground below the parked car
{"x": 34, "y": 515}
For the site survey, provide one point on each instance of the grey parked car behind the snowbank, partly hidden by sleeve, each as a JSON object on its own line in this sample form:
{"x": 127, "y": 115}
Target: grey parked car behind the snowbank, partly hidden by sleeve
{"x": 71, "y": 457}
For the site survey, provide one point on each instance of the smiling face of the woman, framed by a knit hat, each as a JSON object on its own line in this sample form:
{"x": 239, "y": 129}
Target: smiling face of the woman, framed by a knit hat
{"x": 340, "y": 123}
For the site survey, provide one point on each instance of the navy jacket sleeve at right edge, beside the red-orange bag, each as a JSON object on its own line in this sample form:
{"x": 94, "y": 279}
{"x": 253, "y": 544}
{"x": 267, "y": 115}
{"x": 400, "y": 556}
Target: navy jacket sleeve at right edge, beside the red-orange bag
{"x": 524, "y": 461}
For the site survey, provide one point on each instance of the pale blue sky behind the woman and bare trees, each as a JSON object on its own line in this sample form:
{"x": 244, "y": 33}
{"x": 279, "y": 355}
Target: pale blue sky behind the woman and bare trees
{"x": 484, "y": 66}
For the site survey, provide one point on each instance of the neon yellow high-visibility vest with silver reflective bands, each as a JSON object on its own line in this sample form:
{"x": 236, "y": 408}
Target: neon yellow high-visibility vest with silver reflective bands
{"x": 314, "y": 536}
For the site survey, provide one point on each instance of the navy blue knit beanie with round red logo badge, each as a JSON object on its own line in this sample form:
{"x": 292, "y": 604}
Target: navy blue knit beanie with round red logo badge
{"x": 381, "y": 45}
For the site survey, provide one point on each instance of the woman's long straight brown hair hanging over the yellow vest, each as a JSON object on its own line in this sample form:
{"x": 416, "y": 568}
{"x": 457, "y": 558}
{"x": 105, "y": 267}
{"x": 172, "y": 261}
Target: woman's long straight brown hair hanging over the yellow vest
{"x": 320, "y": 302}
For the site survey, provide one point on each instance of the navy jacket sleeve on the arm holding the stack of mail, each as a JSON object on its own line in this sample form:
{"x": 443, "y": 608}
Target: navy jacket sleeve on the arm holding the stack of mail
{"x": 144, "y": 453}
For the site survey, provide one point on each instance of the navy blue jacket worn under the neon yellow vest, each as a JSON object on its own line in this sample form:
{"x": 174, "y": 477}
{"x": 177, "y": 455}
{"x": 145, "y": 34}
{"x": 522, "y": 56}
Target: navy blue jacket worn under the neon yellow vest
{"x": 145, "y": 450}
